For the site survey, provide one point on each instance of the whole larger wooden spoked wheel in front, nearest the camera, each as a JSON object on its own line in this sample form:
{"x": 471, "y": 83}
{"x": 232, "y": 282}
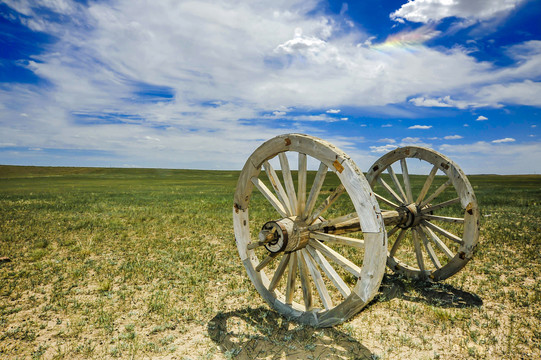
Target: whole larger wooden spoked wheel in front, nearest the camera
{"x": 285, "y": 230}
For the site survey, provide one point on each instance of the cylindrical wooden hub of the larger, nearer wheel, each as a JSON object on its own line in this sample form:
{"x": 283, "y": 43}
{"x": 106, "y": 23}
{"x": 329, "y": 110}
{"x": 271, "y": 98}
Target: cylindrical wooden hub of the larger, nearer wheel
{"x": 284, "y": 235}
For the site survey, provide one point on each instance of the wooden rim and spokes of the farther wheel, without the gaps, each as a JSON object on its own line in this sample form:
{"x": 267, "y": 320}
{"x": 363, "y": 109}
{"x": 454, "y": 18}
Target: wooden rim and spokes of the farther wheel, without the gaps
{"x": 469, "y": 224}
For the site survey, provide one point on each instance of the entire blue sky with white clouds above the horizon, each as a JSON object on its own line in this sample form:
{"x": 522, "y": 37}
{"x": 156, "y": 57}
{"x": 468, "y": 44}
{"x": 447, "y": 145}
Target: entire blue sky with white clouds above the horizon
{"x": 201, "y": 84}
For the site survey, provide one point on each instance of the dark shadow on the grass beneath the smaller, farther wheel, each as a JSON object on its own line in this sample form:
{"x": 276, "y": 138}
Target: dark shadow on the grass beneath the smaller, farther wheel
{"x": 435, "y": 294}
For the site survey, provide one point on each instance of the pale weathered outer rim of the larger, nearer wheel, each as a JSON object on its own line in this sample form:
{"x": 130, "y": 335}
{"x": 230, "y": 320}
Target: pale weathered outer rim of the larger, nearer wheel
{"x": 355, "y": 184}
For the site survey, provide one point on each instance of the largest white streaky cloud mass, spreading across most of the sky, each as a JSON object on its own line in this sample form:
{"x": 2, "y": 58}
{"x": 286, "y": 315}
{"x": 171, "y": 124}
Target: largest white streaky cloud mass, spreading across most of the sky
{"x": 224, "y": 66}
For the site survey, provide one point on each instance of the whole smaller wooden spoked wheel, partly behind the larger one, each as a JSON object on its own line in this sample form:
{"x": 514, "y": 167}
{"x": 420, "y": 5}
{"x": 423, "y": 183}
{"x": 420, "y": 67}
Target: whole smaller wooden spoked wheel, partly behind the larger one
{"x": 432, "y": 220}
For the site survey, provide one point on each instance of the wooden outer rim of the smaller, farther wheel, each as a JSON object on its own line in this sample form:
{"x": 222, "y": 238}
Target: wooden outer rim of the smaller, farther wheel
{"x": 466, "y": 198}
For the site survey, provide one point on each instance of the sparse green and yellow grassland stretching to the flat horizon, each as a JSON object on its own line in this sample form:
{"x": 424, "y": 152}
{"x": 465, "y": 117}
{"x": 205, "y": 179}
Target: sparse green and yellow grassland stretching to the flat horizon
{"x": 142, "y": 263}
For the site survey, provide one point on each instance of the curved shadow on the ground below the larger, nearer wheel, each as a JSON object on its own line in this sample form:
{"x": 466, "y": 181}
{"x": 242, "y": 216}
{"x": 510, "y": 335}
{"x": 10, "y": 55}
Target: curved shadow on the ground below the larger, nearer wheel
{"x": 261, "y": 333}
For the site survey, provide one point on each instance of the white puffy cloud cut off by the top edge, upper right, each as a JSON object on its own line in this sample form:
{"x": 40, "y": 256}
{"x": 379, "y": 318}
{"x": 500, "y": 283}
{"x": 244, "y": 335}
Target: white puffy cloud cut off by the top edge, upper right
{"x": 426, "y": 11}
